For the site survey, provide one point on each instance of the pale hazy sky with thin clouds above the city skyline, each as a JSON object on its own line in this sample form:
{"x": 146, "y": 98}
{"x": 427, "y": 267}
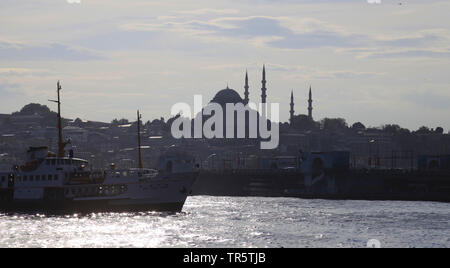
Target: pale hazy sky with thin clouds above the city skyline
{"x": 377, "y": 62}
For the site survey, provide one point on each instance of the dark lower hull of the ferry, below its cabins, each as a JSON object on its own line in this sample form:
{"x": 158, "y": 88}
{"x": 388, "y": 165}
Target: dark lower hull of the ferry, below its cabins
{"x": 142, "y": 197}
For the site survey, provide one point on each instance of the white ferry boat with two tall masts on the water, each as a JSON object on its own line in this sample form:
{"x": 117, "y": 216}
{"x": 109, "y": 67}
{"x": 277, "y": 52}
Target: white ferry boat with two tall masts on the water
{"x": 58, "y": 183}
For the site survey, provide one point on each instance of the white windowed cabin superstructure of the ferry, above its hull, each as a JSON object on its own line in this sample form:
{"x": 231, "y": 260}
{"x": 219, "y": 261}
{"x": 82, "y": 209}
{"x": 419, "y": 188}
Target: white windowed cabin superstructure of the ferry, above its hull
{"x": 45, "y": 177}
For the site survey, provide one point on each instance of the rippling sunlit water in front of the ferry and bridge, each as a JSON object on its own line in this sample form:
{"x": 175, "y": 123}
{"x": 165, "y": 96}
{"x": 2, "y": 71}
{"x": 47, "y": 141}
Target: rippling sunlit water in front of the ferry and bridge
{"x": 241, "y": 222}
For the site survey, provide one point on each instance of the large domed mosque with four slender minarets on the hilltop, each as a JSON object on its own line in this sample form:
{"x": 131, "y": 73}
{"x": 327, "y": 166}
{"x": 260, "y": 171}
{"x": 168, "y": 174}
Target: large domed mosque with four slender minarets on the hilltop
{"x": 247, "y": 138}
